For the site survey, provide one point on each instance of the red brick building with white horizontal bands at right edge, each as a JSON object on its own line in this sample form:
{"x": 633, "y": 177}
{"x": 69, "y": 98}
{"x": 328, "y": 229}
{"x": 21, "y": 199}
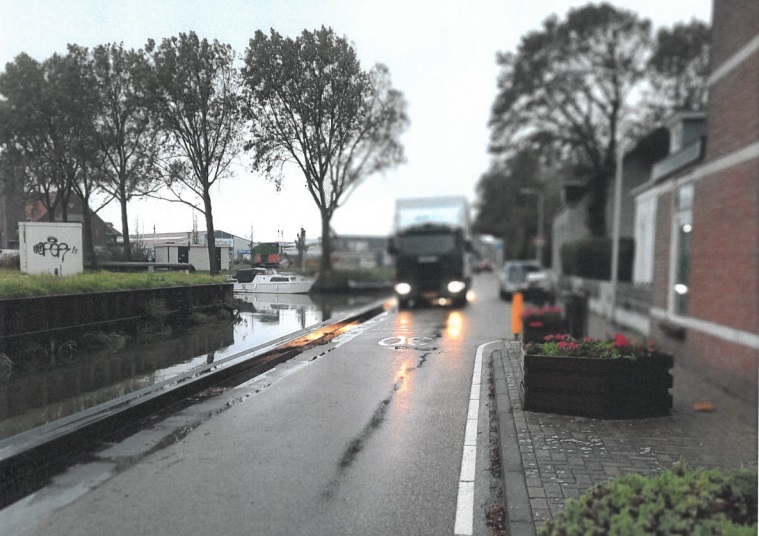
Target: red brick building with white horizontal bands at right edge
{"x": 704, "y": 201}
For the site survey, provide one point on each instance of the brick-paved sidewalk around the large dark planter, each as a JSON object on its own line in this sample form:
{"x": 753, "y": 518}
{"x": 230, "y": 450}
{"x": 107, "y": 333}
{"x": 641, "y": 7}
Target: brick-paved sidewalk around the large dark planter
{"x": 560, "y": 457}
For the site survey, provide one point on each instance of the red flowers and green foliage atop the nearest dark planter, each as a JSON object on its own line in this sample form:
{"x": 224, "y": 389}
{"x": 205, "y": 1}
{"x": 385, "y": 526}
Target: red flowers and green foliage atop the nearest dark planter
{"x": 563, "y": 345}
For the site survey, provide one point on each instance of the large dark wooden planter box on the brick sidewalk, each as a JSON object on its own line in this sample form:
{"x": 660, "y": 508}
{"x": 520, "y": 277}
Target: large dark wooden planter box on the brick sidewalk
{"x": 599, "y": 388}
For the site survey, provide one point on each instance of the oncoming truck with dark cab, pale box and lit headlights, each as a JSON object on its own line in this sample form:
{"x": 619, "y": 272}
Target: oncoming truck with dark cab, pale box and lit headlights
{"x": 432, "y": 246}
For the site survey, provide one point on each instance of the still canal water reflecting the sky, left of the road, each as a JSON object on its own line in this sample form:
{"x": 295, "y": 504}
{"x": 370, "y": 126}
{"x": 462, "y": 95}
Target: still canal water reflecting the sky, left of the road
{"x": 30, "y": 398}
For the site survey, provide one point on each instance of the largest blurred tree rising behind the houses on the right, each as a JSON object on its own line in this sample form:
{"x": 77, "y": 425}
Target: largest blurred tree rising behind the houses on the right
{"x": 568, "y": 89}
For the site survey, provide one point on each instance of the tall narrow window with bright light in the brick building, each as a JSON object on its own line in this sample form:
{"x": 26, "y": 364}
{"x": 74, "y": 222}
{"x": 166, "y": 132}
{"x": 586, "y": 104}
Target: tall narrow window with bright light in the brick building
{"x": 683, "y": 234}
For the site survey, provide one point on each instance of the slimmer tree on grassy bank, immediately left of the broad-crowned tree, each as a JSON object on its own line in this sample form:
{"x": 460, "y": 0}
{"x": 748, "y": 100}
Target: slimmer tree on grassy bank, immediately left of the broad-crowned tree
{"x": 193, "y": 89}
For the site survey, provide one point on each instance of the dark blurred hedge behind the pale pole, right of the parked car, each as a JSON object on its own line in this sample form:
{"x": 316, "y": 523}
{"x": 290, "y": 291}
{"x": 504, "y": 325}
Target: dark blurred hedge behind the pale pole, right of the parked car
{"x": 591, "y": 258}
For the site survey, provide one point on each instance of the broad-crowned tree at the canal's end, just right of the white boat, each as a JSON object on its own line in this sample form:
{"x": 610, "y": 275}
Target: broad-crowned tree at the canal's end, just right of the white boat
{"x": 310, "y": 103}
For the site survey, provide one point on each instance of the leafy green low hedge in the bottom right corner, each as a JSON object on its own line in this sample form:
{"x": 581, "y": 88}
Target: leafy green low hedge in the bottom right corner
{"x": 677, "y": 501}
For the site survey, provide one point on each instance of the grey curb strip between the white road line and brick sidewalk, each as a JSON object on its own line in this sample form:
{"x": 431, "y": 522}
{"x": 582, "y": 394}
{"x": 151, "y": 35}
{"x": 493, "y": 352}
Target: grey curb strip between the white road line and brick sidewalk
{"x": 519, "y": 517}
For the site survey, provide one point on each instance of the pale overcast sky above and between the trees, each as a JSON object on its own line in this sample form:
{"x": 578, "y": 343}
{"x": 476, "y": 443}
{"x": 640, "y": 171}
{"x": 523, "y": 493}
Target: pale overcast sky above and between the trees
{"x": 441, "y": 55}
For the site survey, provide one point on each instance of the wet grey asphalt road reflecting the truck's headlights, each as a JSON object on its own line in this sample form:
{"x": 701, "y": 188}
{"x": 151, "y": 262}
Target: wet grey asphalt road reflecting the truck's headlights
{"x": 361, "y": 436}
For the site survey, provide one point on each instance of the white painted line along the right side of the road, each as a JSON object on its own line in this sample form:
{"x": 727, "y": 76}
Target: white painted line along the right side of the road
{"x": 464, "y": 525}
